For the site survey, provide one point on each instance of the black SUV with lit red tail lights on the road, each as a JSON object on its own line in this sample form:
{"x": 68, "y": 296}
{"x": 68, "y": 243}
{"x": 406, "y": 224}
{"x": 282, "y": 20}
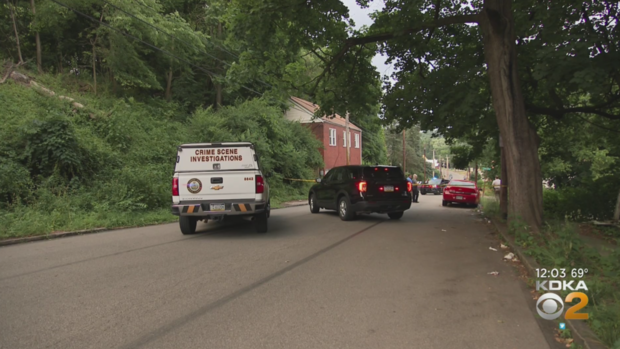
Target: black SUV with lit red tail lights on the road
{"x": 362, "y": 189}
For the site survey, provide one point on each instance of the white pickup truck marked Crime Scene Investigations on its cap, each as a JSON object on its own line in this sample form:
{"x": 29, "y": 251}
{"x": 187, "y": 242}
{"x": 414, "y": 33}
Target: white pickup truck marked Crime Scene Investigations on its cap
{"x": 213, "y": 180}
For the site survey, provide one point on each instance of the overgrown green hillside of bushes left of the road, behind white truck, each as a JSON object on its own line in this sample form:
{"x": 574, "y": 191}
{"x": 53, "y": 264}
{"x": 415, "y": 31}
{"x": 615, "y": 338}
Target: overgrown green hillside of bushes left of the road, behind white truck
{"x": 110, "y": 162}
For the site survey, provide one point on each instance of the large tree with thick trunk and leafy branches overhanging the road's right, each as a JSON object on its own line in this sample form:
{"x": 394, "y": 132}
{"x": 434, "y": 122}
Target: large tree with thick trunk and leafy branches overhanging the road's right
{"x": 464, "y": 56}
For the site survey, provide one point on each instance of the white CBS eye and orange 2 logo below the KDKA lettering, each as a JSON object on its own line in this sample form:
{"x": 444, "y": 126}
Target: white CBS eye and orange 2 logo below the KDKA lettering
{"x": 550, "y": 306}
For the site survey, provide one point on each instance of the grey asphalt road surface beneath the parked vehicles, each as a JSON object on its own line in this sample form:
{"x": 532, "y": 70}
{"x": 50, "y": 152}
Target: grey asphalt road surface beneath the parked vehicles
{"x": 313, "y": 281}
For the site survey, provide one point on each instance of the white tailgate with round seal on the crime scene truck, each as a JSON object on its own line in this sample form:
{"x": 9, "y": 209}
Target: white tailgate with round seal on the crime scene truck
{"x": 224, "y": 185}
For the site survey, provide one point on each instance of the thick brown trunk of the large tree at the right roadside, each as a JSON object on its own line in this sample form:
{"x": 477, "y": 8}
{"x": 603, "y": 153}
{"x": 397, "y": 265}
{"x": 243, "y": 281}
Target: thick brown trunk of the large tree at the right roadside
{"x": 519, "y": 137}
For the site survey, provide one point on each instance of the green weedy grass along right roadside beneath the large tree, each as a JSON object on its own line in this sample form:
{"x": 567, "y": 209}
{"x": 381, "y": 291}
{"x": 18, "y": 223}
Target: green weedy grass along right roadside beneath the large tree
{"x": 560, "y": 246}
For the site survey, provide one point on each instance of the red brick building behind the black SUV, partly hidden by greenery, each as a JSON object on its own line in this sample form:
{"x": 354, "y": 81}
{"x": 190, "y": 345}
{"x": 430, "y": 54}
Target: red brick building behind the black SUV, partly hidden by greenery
{"x": 331, "y": 131}
